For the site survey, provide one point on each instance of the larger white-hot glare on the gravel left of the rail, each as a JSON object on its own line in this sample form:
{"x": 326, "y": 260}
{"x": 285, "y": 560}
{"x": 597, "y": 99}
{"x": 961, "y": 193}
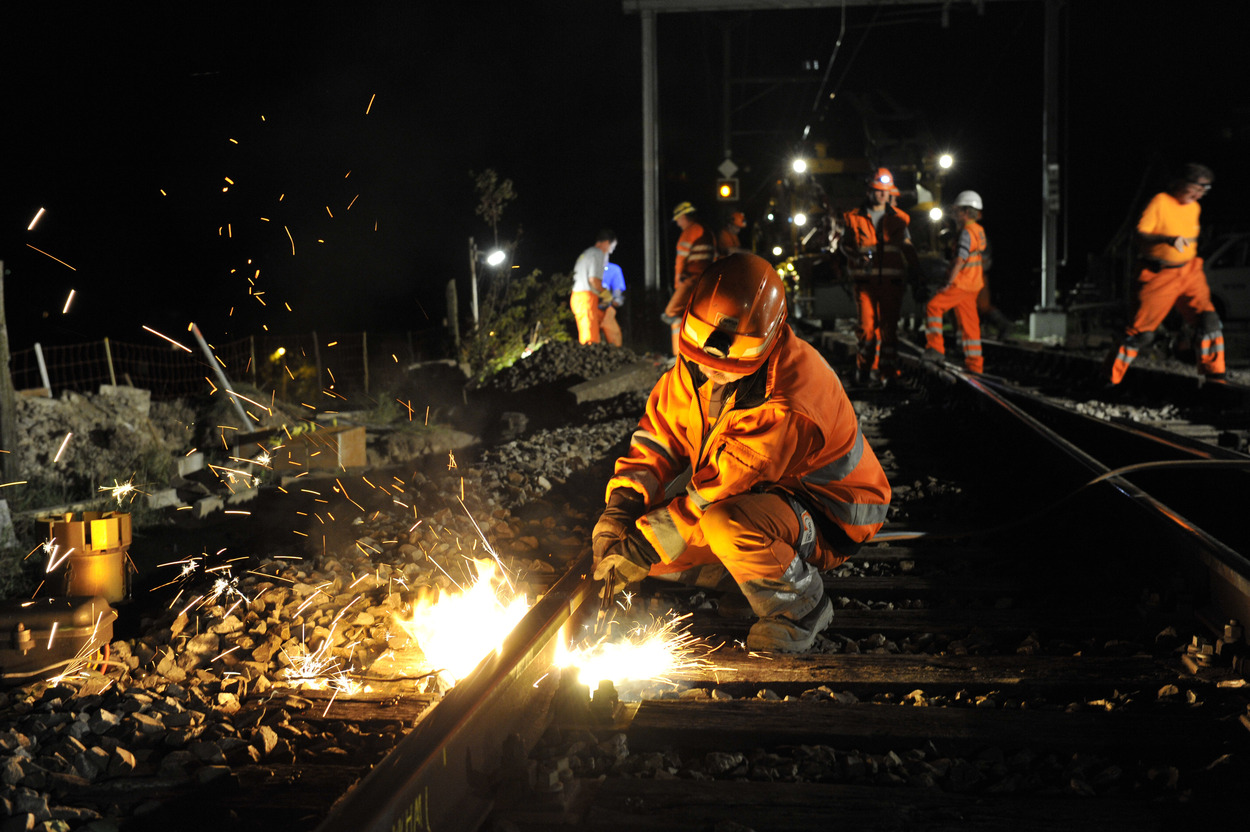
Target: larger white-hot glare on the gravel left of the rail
{"x": 456, "y": 631}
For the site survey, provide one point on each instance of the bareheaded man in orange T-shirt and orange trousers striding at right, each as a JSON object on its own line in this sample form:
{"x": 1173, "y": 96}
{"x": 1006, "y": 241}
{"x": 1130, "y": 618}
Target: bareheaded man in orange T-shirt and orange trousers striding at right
{"x": 1172, "y": 275}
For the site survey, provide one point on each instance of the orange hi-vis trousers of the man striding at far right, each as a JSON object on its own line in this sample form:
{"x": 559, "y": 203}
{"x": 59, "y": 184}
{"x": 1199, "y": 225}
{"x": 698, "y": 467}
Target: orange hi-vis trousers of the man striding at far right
{"x": 1183, "y": 289}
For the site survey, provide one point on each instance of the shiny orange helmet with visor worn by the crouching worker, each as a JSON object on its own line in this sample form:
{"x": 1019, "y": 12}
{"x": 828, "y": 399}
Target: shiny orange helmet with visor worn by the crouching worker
{"x": 736, "y": 315}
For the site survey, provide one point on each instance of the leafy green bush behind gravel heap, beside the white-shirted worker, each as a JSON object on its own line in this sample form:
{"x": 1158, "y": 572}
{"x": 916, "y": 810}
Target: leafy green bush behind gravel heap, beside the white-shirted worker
{"x": 519, "y": 315}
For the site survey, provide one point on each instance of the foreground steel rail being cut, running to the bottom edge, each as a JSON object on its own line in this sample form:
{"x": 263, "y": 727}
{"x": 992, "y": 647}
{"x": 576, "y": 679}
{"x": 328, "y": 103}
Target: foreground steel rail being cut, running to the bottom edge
{"x": 443, "y": 775}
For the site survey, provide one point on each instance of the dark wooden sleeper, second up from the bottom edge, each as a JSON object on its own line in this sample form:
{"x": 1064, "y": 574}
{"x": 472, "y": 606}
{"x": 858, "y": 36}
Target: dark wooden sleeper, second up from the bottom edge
{"x": 752, "y": 724}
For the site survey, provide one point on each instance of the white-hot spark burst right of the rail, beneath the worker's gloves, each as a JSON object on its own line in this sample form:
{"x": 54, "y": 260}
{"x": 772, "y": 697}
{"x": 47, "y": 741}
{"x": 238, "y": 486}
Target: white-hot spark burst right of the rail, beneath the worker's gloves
{"x": 644, "y": 653}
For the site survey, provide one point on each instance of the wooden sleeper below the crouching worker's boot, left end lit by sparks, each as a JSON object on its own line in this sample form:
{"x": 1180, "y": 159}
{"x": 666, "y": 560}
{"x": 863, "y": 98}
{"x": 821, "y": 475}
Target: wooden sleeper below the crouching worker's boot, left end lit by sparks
{"x": 934, "y": 674}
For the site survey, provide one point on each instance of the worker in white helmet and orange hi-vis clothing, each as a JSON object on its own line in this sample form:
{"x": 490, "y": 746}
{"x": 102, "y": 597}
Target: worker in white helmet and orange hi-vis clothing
{"x": 964, "y": 284}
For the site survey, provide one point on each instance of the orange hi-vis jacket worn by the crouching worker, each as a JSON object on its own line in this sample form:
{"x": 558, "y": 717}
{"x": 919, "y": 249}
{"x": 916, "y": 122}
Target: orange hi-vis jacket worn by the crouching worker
{"x": 799, "y": 435}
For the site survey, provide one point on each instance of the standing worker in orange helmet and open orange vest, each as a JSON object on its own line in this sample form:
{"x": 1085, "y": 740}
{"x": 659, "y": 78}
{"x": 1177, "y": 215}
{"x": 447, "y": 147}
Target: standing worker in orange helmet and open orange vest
{"x": 879, "y": 258}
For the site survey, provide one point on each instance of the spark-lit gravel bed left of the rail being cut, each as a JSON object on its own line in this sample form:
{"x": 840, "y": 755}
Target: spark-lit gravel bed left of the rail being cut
{"x": 214, "y": 683}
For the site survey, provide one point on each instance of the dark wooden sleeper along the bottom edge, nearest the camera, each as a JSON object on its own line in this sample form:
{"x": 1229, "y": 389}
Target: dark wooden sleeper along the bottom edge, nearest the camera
{"x": 632, "y": 805}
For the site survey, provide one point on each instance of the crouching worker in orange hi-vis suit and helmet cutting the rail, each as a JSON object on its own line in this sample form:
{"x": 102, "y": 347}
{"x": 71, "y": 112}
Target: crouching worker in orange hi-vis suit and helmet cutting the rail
{"x": 782, "y": 482}
